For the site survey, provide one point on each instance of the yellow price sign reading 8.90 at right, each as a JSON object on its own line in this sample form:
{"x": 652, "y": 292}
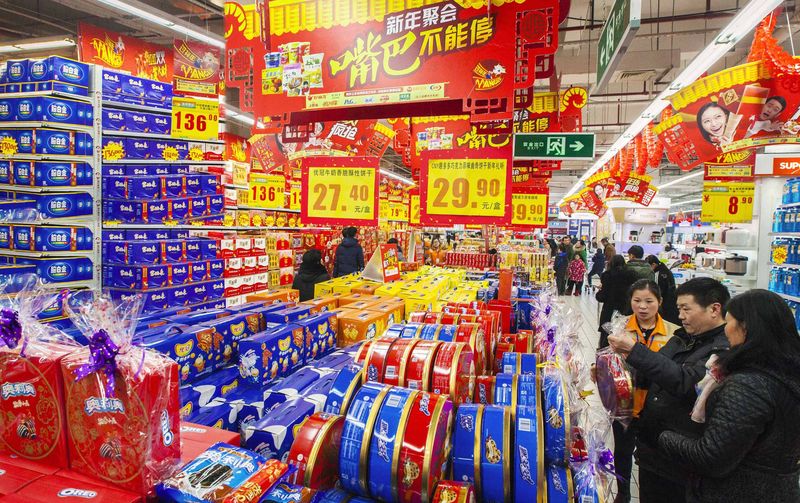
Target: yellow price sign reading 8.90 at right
{"x": 728, "y": 202}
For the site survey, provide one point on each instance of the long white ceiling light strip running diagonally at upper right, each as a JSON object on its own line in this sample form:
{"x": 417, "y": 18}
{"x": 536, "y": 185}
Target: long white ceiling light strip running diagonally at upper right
{"x": 744, "y": 22}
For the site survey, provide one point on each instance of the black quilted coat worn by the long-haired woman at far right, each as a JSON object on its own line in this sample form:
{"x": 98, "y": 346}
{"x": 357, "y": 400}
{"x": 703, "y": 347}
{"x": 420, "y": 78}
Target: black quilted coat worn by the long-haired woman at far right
{"x": 750, "y": 449}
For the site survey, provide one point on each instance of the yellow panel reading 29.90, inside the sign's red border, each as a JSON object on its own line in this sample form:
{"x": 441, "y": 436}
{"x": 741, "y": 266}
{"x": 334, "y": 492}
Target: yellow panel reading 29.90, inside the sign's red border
{"x": 467, "y": 187}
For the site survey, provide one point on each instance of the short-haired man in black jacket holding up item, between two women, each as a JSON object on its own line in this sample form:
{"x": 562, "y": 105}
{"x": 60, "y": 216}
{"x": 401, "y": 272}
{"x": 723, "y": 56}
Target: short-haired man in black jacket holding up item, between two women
{"x": 673, "y": 373}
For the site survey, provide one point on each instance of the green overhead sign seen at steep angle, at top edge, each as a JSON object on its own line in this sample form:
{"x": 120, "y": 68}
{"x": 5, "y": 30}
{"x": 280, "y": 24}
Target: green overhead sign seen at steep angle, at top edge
{"x": 622, "y": 24}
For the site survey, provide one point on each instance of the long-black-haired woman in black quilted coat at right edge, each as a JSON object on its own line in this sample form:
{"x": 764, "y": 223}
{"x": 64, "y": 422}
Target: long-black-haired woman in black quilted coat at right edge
{"x": 750, "y": 402}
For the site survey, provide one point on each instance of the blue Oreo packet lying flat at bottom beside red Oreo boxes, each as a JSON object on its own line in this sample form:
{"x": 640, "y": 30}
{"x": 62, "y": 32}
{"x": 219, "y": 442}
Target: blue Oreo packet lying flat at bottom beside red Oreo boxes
{"x": 214, "y": 475}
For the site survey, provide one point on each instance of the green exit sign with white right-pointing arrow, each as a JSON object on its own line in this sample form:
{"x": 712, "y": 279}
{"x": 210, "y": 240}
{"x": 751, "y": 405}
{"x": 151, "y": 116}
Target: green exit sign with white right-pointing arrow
{"x": 554, "y": 146}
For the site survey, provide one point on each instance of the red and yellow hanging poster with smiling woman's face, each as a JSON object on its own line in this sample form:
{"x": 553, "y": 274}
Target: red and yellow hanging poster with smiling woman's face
{"x": 738, "y": 108}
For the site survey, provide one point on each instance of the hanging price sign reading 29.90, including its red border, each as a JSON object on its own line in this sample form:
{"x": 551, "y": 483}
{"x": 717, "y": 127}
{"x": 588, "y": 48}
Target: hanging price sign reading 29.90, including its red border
{"x": 464, "y": 186}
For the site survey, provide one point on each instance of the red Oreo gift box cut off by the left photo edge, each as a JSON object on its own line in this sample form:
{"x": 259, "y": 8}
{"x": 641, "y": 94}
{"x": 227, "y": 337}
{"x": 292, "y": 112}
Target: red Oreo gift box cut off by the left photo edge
{"x": 32, "y": 419}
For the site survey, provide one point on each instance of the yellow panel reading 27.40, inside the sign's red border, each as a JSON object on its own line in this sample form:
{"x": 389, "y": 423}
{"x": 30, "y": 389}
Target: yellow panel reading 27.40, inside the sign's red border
{"x": 336, "y": 194}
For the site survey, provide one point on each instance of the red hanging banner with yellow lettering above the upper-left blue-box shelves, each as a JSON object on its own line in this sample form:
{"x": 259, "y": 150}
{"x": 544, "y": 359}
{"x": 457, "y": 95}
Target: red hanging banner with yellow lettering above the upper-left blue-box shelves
{"x": 120, "y": 52}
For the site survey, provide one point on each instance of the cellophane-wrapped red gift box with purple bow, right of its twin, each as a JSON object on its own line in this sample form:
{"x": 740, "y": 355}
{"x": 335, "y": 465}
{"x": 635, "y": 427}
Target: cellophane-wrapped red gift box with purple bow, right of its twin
{"x": 122, "y": 402}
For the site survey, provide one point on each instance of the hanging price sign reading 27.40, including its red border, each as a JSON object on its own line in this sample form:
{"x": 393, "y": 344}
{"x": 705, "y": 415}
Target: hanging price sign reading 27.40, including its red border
{"x": 342, "y": 191}
